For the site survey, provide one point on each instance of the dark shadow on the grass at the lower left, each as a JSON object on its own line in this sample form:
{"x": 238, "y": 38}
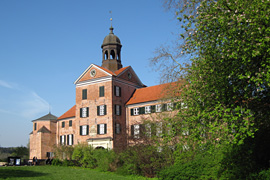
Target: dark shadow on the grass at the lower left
{"x": 13, "y": 173}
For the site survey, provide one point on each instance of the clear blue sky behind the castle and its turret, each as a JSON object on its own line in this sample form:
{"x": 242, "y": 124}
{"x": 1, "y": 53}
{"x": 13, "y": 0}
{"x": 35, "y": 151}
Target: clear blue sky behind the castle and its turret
{"x": 45, "y": 45}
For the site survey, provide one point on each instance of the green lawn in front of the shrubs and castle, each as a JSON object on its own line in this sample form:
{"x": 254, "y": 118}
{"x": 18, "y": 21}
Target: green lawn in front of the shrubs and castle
{"x": 58, "y": 173}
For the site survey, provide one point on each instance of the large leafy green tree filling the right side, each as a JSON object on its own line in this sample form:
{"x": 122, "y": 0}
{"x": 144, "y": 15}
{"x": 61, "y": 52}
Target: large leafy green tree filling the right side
{"x": 227, "y": 94}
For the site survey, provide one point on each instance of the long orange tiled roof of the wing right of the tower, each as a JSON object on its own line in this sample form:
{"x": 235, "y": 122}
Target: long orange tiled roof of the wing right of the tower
{"x": 152, "y": 93}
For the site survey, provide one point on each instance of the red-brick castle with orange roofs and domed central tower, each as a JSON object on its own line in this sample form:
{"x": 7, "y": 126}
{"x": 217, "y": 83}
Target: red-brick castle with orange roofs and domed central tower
{"x": 110, "y": 103}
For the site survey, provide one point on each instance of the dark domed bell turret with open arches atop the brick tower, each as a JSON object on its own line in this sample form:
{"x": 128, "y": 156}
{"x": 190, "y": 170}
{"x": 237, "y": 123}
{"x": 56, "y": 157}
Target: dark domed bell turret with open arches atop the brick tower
{"x": 111, "y": 52}
